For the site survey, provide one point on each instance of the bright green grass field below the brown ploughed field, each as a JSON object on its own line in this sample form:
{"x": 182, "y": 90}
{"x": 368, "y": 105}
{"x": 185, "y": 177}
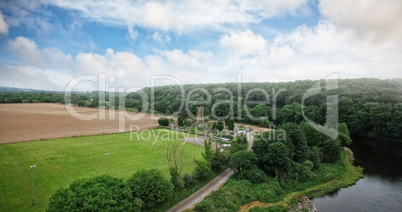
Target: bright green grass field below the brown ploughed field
{"x": 60, "y": 161}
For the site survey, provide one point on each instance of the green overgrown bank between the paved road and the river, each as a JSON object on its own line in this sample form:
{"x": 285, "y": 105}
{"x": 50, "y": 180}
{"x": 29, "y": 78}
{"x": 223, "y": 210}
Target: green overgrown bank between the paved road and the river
{"x": 242, "y": 195}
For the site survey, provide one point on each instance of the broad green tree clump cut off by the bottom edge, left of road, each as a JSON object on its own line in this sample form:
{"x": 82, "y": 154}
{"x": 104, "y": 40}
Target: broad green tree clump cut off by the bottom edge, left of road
{"x": 103, "y": 193}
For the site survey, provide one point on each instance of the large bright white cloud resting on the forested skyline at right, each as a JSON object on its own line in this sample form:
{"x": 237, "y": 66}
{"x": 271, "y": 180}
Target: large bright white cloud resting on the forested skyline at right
{"x": 315, "y": 52}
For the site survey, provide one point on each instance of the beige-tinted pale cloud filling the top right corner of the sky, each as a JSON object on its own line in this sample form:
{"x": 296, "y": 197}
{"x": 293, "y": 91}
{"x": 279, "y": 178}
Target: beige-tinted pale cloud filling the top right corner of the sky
{"x": 379, "y": 21}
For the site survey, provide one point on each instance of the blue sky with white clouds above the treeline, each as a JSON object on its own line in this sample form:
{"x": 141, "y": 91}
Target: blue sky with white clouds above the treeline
{"x": 50, "y": 44}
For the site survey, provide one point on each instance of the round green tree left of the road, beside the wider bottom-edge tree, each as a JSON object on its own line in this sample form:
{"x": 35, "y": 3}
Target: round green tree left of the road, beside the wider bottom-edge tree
{"x": 150, "y": 186}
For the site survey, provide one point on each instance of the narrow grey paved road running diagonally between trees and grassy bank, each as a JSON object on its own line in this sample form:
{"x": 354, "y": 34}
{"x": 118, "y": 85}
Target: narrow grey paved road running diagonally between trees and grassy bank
{"x": 199, "y": 195}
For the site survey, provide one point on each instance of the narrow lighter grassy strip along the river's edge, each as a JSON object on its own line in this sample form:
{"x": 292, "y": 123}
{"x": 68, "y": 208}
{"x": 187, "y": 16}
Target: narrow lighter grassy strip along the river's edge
{"x": 351, "y": 174}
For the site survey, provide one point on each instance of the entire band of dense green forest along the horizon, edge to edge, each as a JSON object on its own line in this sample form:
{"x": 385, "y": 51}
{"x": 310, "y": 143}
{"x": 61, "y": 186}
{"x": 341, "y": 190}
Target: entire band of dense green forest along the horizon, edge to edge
{"x": 370, "y": 107}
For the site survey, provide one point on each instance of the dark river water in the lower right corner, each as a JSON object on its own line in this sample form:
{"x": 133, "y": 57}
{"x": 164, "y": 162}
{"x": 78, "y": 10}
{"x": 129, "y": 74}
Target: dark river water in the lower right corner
{"x": 381, "y": 187}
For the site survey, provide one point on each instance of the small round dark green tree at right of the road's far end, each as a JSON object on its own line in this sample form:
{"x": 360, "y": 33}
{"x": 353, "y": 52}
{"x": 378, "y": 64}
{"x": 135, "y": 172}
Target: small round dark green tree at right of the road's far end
{"x": 243, "y": 160}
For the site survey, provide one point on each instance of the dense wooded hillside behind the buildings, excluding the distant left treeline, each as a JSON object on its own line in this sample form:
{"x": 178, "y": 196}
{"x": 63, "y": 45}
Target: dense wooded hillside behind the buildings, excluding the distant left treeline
{"x": 370, "y": 107}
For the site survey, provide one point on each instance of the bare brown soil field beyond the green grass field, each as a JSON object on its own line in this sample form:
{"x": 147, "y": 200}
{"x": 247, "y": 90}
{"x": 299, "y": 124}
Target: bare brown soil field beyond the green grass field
{"x": 26, "y": 122}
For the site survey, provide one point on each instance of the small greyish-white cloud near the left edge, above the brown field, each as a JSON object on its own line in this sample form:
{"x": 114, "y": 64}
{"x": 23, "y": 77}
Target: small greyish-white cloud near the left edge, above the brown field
{"x": 27, "y": 50}
